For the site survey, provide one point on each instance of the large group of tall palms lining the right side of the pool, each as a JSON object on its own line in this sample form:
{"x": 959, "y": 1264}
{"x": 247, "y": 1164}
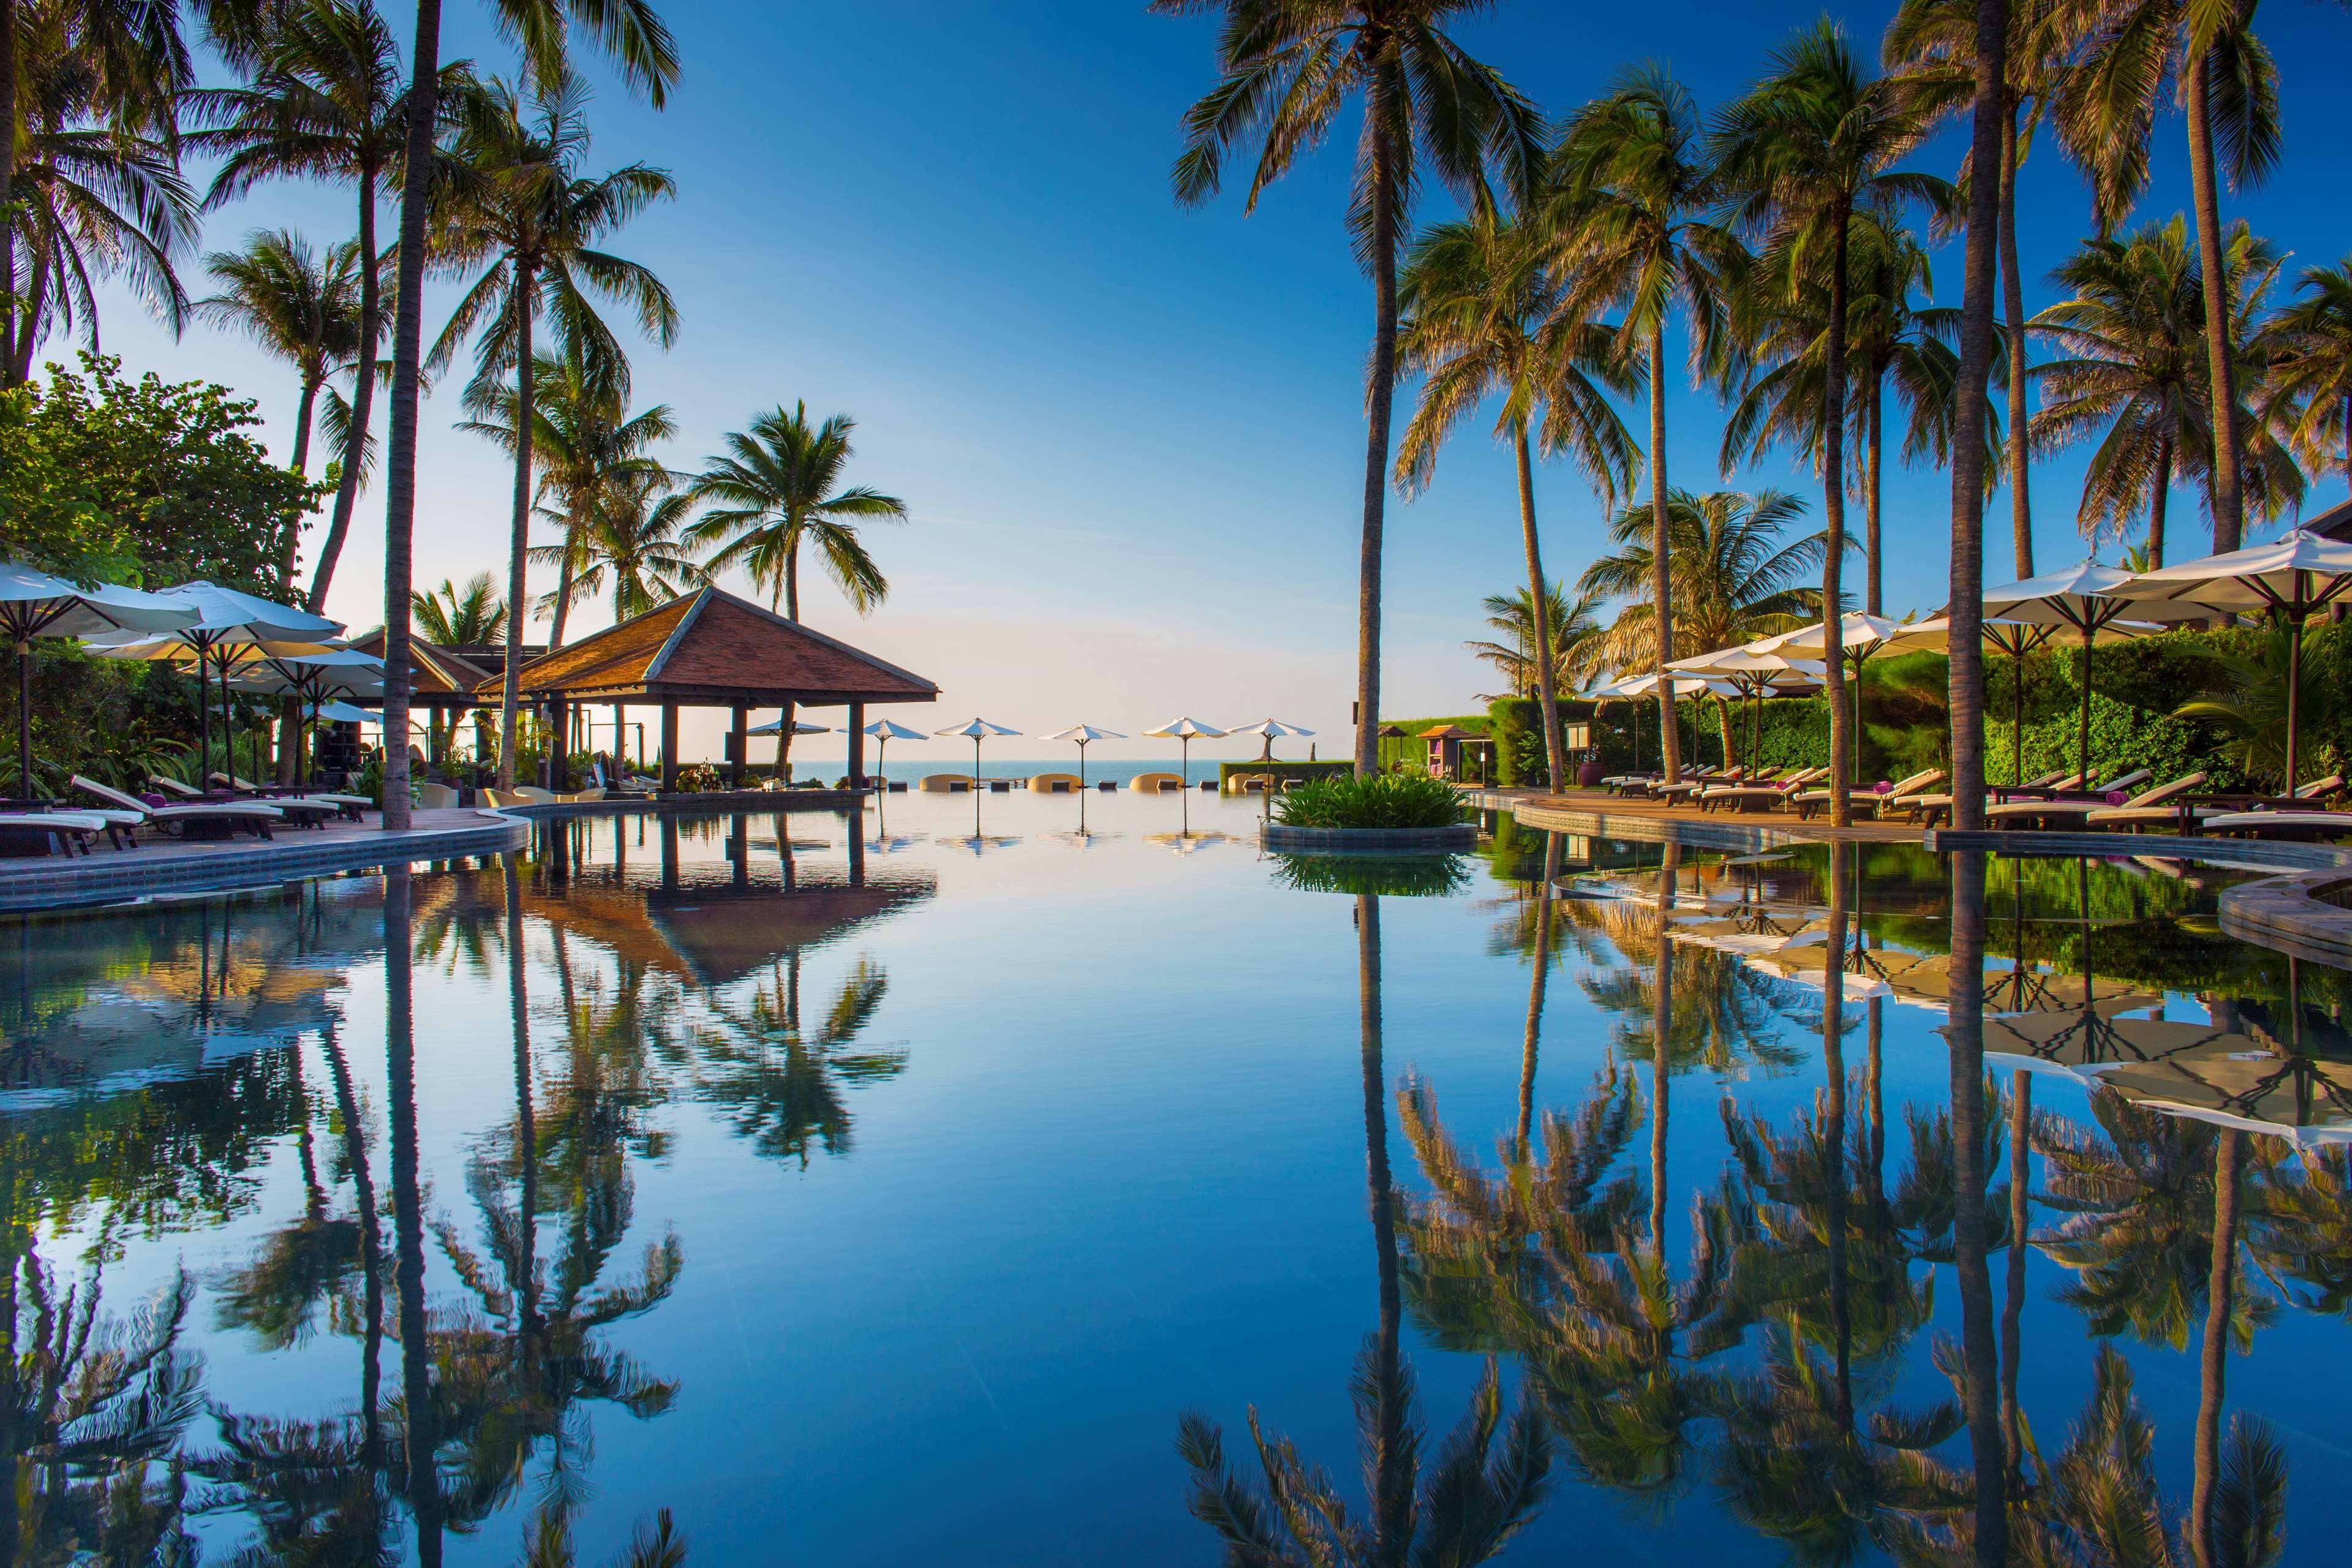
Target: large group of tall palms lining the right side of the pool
{"x": 1789, "y": 243}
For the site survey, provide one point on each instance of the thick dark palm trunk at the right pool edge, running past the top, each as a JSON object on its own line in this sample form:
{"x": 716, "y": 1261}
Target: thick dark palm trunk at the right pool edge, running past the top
{"x": 1965, "y": 690}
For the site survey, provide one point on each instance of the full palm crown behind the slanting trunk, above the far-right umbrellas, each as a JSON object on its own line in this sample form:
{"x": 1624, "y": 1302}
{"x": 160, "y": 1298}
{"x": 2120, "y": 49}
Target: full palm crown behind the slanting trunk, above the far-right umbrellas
{"x": 2134, "y": 373}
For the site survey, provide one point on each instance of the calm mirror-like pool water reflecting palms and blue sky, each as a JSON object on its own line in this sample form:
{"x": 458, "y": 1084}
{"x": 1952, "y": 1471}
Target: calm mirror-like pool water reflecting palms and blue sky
{"x": 937, "y": 1202}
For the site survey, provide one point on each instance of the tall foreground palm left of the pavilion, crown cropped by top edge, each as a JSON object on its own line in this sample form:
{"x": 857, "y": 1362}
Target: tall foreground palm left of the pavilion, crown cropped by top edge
{"x": 641, "y": 48}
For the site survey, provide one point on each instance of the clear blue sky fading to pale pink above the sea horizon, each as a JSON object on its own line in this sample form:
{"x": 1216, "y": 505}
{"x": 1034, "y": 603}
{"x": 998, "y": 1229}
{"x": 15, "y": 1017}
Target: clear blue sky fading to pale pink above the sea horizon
{"x": 1132, "y": 434}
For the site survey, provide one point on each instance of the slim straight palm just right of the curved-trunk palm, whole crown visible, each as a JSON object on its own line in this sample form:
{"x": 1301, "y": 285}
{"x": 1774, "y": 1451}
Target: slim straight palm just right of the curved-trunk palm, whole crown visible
{"x": 1636, "y": 182}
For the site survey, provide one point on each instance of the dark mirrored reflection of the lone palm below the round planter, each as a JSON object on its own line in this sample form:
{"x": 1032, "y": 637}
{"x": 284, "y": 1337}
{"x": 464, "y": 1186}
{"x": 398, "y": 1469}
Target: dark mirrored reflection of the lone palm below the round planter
{"x": 1476, "y": 1496}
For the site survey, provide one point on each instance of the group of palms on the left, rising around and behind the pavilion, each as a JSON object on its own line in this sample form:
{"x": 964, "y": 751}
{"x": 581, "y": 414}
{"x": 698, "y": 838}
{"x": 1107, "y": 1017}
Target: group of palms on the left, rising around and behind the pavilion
{"x": 493, "y": 192}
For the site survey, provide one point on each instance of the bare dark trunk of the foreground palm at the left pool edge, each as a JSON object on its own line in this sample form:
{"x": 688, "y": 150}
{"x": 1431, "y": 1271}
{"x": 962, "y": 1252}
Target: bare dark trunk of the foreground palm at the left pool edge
{"x": 401, "y": 457}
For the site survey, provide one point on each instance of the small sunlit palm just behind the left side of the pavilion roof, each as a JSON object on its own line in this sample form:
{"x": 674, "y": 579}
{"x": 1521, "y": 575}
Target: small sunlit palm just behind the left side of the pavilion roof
{"x": 584, "y": 441}
